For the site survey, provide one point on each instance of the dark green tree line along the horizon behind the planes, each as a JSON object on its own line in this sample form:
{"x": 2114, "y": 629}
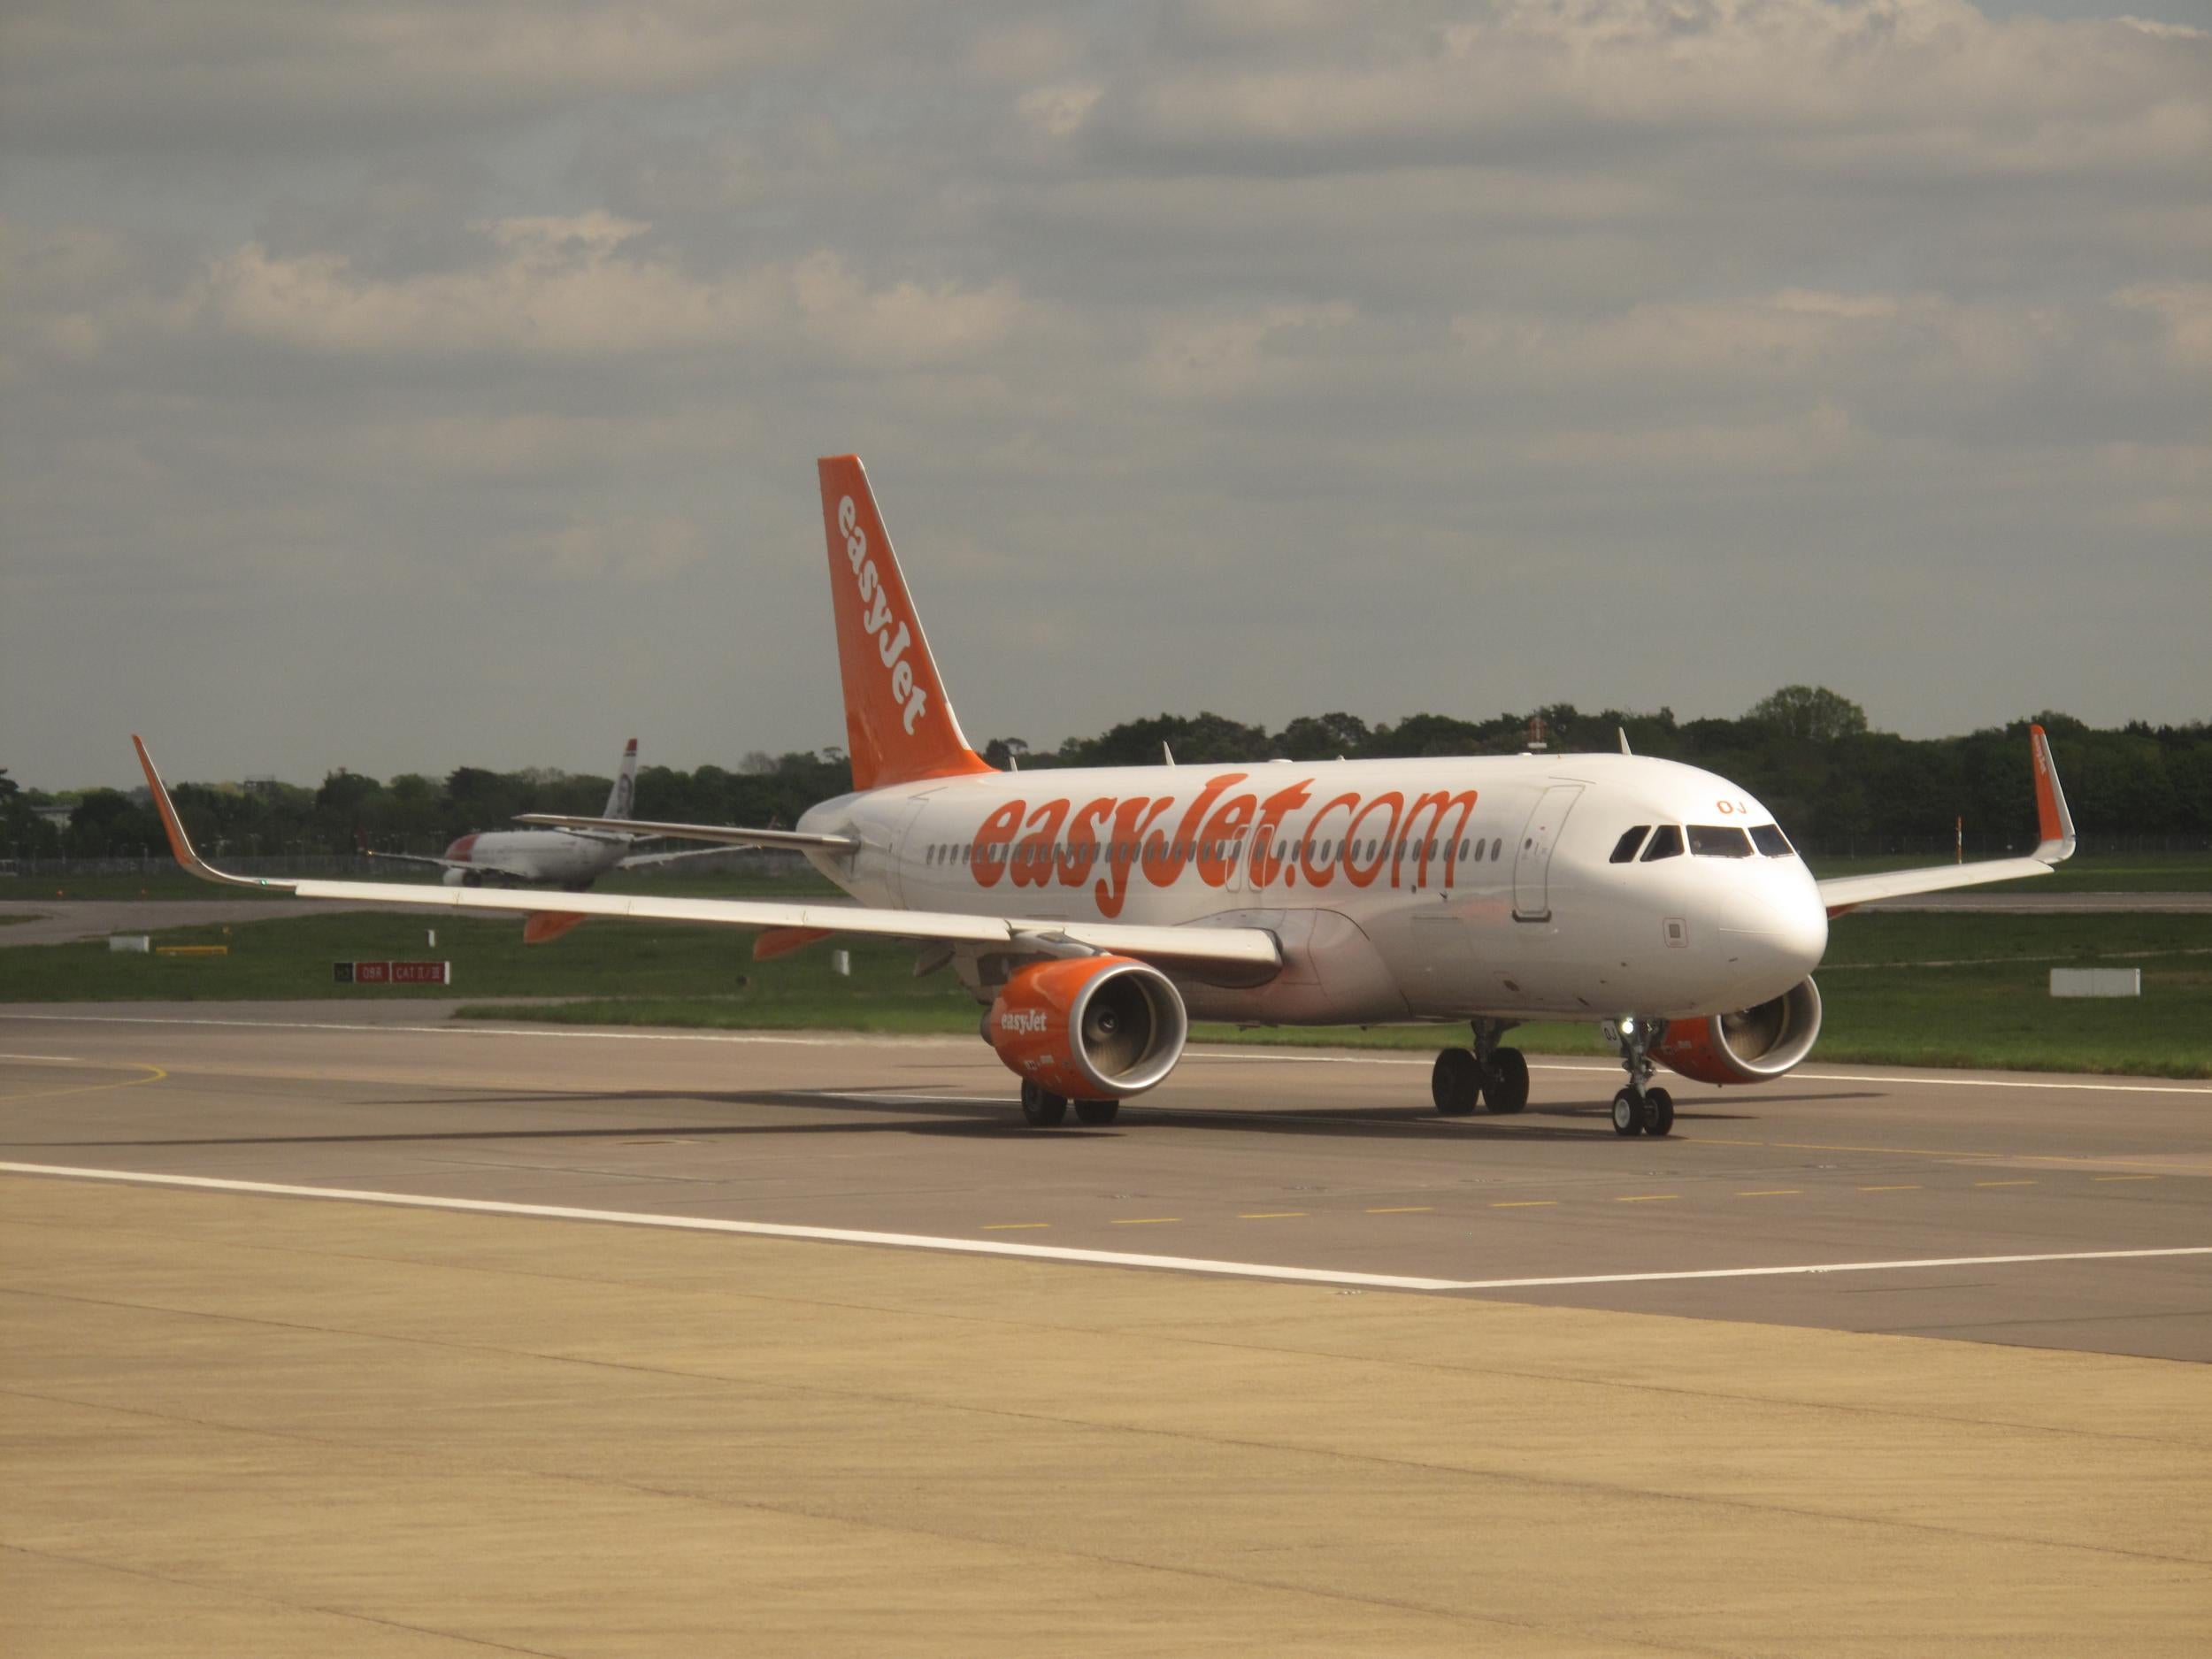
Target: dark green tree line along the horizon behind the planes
{"x": 1808, "y": 753}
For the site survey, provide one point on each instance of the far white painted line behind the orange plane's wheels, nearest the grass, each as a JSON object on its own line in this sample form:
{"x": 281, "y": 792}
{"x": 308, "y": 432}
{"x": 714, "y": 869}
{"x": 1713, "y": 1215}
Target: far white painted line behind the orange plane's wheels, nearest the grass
{"x": 851, "y": 1039}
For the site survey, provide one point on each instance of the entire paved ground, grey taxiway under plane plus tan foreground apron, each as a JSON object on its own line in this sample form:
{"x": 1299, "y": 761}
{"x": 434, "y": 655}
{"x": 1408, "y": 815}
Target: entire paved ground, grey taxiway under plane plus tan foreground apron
{"x": 293, "y": 1426}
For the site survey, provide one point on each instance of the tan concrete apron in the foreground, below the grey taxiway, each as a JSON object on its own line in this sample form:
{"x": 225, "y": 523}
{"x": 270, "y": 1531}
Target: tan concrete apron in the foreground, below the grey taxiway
{"x": 262, "y": 1426}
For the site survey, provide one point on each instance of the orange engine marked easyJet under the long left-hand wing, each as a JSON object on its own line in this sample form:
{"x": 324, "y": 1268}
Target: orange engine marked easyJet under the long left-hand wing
{"x": 1089, "y": 1027}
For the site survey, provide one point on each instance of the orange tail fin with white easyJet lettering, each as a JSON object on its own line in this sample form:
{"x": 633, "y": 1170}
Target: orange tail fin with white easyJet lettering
{"x": 899, "y": 722}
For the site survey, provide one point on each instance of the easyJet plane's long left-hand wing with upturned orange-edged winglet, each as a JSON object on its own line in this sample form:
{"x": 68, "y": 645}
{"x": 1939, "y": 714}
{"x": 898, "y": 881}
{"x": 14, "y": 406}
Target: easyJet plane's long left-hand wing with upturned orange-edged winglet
{"x": 1215, "y": 946}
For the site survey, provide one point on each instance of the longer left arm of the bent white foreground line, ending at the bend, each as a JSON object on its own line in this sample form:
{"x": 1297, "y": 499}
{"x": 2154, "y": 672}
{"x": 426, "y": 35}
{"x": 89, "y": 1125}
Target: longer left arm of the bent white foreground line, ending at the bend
{"x": 753, "y": 1229}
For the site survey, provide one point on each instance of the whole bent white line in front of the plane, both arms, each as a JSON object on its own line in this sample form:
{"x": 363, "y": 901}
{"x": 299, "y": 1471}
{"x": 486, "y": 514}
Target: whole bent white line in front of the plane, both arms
{"x": 1052, "y": 1253}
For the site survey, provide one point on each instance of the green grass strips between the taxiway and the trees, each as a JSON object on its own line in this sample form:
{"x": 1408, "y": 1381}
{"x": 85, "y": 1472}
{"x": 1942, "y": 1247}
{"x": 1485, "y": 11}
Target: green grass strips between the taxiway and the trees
{"x": 1888, "y": 1003}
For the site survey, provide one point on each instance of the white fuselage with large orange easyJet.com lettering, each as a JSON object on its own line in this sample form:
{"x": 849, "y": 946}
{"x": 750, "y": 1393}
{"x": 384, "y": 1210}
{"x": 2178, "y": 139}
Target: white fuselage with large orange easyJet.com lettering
{"x": 1450, "y": 888}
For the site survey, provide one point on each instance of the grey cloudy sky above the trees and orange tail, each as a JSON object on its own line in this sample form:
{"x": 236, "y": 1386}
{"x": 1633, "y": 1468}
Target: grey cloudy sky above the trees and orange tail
{"x": 408, "y": 386}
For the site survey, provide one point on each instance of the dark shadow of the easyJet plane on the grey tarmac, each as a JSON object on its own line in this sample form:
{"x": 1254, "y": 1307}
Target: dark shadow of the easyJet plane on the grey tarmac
{"x": 851, "y": 1112}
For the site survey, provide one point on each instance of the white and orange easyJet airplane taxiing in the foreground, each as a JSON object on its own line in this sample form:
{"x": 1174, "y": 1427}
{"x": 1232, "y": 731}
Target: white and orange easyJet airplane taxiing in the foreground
{"x": 1096, "y": 912}
